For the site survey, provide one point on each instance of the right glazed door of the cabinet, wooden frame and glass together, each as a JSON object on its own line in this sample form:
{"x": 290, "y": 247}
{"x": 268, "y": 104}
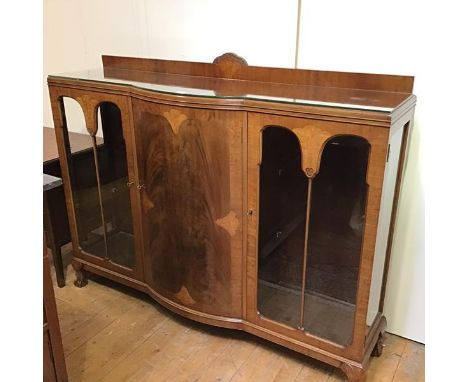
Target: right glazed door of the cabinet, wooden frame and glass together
{"x": 313, "y": 195}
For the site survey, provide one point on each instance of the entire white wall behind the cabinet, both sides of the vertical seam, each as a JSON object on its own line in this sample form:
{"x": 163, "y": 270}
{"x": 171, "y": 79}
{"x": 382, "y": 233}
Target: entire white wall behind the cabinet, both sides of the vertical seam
{"x": 362, "y": 36}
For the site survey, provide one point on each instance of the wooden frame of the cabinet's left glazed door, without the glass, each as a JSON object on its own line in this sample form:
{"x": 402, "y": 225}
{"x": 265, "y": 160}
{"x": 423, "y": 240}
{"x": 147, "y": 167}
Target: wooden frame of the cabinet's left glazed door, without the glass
{"x": 90, "y": 102}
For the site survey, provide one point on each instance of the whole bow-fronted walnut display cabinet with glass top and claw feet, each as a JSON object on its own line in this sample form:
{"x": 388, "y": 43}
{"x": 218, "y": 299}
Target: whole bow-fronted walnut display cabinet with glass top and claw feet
{"x": 254, "y": 198}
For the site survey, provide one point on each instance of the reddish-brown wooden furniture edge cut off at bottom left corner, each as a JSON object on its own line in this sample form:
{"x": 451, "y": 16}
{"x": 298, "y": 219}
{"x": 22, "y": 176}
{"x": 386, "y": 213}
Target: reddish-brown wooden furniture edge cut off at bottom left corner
{"x": 54, "y": 368}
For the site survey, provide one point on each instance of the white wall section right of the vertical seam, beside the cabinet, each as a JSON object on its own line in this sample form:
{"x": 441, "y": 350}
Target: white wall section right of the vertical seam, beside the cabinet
{"x": 376, "y": 37}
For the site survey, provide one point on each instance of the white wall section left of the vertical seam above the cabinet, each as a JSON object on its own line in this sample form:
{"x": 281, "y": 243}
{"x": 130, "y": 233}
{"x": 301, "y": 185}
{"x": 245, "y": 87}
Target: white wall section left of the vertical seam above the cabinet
{"x": 78, "y": 32}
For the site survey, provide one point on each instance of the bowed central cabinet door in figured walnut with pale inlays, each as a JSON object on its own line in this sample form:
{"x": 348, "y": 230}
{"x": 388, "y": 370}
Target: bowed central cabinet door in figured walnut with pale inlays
{"x": 190, "y": 162}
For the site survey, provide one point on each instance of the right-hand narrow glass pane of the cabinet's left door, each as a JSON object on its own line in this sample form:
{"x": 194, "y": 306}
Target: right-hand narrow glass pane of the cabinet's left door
{"x": 113, "y": 176}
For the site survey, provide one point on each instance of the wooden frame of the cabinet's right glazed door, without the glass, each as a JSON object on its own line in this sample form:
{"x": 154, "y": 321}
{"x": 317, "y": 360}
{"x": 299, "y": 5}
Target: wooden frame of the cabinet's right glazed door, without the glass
{"x": 313, "y": 135}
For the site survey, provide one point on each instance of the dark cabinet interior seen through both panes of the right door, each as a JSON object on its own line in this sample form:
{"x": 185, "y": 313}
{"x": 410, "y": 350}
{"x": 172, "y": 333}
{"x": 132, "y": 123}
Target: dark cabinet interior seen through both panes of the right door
{"x": 319, "y": 276}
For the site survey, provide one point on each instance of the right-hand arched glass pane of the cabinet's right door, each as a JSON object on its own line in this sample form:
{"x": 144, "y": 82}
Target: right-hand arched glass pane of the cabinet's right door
{"x": 337, "y": 214}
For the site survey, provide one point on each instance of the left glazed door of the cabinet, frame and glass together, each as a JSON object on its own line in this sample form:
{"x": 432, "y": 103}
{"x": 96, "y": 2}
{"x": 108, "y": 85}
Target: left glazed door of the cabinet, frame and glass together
{"x": 96, "y": 144}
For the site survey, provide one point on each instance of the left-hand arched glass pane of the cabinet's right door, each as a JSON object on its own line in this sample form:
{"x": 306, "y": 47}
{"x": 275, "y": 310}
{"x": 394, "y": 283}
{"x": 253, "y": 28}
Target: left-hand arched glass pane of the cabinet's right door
{"x": 283, "y": 199}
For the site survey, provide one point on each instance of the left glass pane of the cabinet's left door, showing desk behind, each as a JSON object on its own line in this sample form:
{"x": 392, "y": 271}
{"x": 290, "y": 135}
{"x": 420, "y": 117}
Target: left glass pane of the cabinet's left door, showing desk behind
{"x": 79, "y": 147}
